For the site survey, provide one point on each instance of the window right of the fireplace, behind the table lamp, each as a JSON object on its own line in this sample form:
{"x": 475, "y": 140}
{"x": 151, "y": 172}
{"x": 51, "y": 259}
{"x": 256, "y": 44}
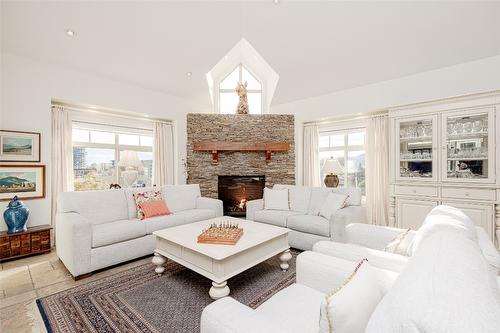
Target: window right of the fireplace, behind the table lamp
{"x": 345, "y": 145}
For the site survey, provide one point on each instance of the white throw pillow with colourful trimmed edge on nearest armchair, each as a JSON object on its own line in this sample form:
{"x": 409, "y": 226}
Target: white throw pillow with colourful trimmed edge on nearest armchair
{"x": 348, "y": 308}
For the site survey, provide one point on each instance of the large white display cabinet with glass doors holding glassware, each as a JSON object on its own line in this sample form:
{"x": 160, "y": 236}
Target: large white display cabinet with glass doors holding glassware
{"x": 445, "y": 152}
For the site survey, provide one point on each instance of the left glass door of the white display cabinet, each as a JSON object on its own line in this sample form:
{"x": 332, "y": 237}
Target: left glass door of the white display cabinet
{"x": 416, "y": 148}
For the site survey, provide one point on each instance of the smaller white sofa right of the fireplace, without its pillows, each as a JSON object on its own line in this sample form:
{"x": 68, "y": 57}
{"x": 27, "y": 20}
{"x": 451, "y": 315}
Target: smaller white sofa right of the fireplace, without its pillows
{"x": 305, "y": 228}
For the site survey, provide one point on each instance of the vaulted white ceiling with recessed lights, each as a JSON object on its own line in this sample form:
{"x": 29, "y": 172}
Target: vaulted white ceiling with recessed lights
{"x": 315, "y": 47}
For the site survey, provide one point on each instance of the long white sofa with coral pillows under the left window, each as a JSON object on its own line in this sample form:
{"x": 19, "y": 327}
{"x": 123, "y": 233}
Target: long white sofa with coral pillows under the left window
{"x": 97, "y": 229}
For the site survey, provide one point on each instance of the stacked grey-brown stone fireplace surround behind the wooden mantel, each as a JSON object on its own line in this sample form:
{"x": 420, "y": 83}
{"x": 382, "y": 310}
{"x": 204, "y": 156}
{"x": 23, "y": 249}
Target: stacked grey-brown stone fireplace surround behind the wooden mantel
{"x": 239, "y": 128}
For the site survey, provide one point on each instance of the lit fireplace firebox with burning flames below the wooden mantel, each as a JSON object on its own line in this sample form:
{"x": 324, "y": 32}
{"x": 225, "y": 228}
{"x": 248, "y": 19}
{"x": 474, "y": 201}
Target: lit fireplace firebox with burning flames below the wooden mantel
{"x": 235, "y": 191}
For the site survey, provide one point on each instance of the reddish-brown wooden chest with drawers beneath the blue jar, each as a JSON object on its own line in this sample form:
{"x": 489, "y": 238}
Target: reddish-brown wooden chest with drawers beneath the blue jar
{"x": 20, "y": 244}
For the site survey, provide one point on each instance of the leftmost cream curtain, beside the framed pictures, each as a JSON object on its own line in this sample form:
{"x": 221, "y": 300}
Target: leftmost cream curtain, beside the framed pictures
{"x": 62, "y": 157}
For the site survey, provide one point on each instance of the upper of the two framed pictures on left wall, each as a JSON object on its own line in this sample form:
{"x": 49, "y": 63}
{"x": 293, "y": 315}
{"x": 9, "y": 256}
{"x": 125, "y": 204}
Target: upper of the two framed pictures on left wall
{"x": 16, "y": 146}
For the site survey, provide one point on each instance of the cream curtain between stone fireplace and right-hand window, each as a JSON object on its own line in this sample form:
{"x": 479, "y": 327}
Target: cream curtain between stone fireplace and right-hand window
{"x": 311, "y": 156}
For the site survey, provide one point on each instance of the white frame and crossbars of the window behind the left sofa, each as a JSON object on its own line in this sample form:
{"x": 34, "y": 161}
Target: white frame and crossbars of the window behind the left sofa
{"x": 116, "y": 145}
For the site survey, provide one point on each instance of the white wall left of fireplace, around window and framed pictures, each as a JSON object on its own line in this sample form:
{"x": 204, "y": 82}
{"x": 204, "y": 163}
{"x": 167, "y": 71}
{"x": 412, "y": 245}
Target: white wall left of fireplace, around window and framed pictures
{"x": 28, "y": 86}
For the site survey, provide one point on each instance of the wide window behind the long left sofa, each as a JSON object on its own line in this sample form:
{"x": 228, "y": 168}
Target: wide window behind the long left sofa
{"x": 105, "y": 155}
